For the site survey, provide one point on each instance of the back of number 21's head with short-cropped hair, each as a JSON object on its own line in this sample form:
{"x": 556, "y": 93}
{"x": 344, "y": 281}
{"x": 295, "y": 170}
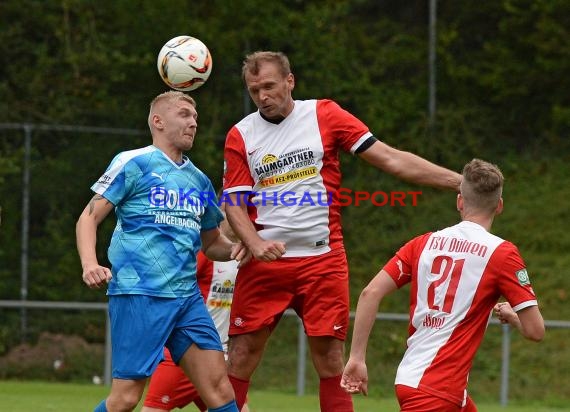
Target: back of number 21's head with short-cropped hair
{"x": 482, "y": 185}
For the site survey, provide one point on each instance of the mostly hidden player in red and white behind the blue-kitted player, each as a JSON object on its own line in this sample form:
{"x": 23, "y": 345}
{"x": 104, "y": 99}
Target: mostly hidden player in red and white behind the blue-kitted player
{"x": 169, "y": 387}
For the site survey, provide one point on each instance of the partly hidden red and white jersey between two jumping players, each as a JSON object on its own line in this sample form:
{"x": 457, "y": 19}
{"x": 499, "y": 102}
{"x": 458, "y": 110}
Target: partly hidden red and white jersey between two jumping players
{"x": 217, "y": 281}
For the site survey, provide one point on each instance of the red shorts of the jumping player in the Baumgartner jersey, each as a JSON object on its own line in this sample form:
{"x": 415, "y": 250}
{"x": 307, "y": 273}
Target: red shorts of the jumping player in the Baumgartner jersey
{"x": 316, "y": 287}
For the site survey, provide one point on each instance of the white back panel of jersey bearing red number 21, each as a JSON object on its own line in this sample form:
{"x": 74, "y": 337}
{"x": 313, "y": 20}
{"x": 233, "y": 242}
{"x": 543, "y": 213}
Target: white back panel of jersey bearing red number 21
{"x": 450, "y": 269}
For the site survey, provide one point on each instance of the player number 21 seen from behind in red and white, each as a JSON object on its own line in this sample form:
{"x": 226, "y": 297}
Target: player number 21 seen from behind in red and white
{"x": 456, "y": 277}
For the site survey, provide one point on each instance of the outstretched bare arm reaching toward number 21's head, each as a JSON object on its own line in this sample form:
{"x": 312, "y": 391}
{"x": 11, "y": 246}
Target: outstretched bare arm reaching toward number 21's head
{"x": 410, "y": 167}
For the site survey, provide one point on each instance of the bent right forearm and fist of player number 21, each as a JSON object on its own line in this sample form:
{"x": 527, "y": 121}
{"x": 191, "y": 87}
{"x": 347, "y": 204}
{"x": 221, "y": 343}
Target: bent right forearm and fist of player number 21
{"x": 528, "y": 321}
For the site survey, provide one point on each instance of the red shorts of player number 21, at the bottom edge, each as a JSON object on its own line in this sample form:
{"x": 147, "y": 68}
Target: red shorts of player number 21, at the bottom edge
{"x": 412, "y": 400}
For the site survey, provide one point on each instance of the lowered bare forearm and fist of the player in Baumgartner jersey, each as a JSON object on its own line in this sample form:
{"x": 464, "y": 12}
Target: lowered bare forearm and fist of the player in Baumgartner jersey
{"x": 264, "y": 250}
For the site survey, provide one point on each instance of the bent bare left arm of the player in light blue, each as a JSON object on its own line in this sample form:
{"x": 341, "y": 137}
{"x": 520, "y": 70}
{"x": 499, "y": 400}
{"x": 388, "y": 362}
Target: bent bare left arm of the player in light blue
{"x": 94, "y": 275}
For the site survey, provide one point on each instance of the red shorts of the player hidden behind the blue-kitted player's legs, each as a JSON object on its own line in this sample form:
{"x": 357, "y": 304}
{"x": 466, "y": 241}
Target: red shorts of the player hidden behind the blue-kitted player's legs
{"x": 170, "y": 388}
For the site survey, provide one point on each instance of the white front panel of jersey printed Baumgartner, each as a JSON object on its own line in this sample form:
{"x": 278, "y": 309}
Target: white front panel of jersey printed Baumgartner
{"x": 289, "y": 193}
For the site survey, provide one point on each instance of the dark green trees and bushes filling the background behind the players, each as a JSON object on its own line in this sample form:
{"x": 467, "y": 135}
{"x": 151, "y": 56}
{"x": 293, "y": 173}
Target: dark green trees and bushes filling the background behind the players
{"x": 502, "y": 81}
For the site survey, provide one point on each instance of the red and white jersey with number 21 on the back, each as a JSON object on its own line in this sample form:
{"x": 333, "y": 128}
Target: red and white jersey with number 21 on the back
{"x": 457, "y": 275}
